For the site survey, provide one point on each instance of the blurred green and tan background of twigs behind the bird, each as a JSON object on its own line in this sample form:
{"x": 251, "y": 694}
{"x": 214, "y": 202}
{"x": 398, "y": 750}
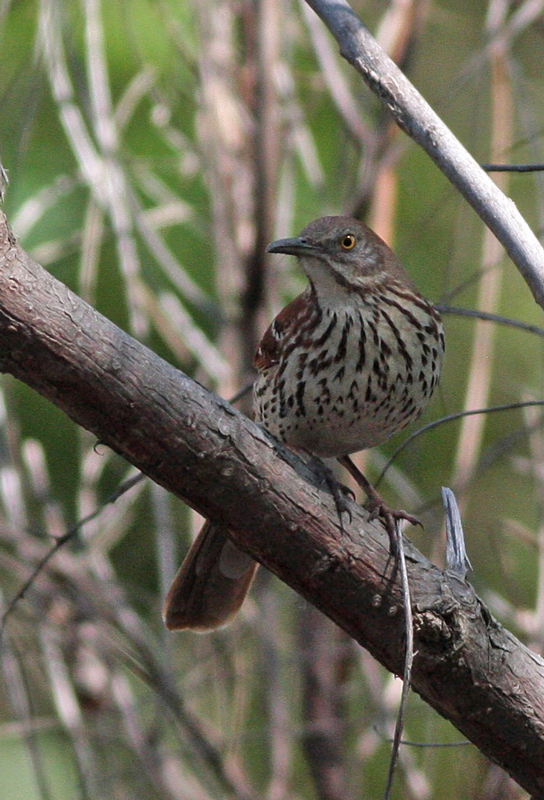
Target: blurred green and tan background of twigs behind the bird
{"x": 153, "y": 148}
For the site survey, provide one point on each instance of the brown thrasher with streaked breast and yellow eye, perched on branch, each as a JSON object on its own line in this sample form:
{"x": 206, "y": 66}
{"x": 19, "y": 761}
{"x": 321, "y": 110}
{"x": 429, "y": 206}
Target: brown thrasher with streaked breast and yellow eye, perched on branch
{"x": 347, "y": 364}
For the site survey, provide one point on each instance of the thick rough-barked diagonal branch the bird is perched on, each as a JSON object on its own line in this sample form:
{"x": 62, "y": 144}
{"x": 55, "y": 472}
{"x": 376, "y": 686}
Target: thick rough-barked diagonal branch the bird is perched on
{"x": 466, "y": 666}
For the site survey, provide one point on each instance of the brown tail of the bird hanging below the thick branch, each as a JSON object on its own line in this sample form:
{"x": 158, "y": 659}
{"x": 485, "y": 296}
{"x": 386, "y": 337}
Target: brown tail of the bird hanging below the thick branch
{"x": 210, "y": 585}
